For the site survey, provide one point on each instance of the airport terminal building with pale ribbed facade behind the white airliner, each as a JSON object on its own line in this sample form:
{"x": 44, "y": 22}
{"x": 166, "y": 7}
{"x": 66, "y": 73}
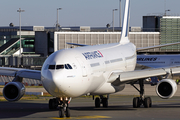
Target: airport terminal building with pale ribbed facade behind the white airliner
{"x": 38, "y": 42}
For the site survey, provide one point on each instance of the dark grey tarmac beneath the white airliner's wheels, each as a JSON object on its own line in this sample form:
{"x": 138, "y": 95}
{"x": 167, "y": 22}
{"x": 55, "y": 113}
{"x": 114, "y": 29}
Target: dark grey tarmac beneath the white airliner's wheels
{"x": 82, "y": 108}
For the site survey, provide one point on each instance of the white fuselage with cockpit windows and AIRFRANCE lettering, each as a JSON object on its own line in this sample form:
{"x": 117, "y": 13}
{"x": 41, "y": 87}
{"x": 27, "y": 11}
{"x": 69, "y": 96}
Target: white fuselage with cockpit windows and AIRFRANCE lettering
{"x": 91, "y": 67}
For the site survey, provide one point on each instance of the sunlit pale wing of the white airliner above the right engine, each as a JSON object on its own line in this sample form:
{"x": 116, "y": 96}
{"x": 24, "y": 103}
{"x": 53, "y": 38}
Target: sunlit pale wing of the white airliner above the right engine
{"x": 126, "y": 77}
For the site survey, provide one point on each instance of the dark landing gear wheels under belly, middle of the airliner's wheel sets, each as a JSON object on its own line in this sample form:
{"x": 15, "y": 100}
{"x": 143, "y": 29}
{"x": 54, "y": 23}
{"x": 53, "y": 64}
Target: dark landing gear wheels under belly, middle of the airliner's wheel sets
{"x": 101, "y": 100}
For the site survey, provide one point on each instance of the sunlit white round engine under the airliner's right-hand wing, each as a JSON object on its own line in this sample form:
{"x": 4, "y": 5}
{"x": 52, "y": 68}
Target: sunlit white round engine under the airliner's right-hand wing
{"x": 166, "y": 88}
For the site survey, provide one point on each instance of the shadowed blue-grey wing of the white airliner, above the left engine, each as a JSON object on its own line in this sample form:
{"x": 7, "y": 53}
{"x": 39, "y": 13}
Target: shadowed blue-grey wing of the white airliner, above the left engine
{"x": 24, "y": 73}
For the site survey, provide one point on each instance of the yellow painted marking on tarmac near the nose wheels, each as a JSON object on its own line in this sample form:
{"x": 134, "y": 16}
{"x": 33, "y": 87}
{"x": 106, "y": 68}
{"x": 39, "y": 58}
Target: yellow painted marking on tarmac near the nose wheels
{"x": 83, "y": 117}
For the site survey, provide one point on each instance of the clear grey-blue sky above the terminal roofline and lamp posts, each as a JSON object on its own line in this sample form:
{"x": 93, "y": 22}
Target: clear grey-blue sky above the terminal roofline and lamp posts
{"x": 94, "y": 13}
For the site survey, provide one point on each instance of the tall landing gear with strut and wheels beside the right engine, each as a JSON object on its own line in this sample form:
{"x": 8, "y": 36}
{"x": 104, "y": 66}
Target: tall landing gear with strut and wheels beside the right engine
{"x": 138, "y": 101}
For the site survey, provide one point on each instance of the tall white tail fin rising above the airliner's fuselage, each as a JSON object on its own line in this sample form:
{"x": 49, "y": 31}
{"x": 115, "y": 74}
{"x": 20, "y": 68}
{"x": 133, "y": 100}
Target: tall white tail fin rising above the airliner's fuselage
{"x": 125, "y": 28}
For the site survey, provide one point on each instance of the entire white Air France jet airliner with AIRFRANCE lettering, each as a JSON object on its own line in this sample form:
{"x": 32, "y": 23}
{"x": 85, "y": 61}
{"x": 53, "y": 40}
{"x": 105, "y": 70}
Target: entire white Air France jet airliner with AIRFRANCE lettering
{"x": 92, "y": 70}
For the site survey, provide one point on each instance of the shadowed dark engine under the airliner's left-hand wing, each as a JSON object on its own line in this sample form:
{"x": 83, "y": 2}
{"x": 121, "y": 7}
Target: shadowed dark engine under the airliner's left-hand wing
{"x": 13, "y": 91}
